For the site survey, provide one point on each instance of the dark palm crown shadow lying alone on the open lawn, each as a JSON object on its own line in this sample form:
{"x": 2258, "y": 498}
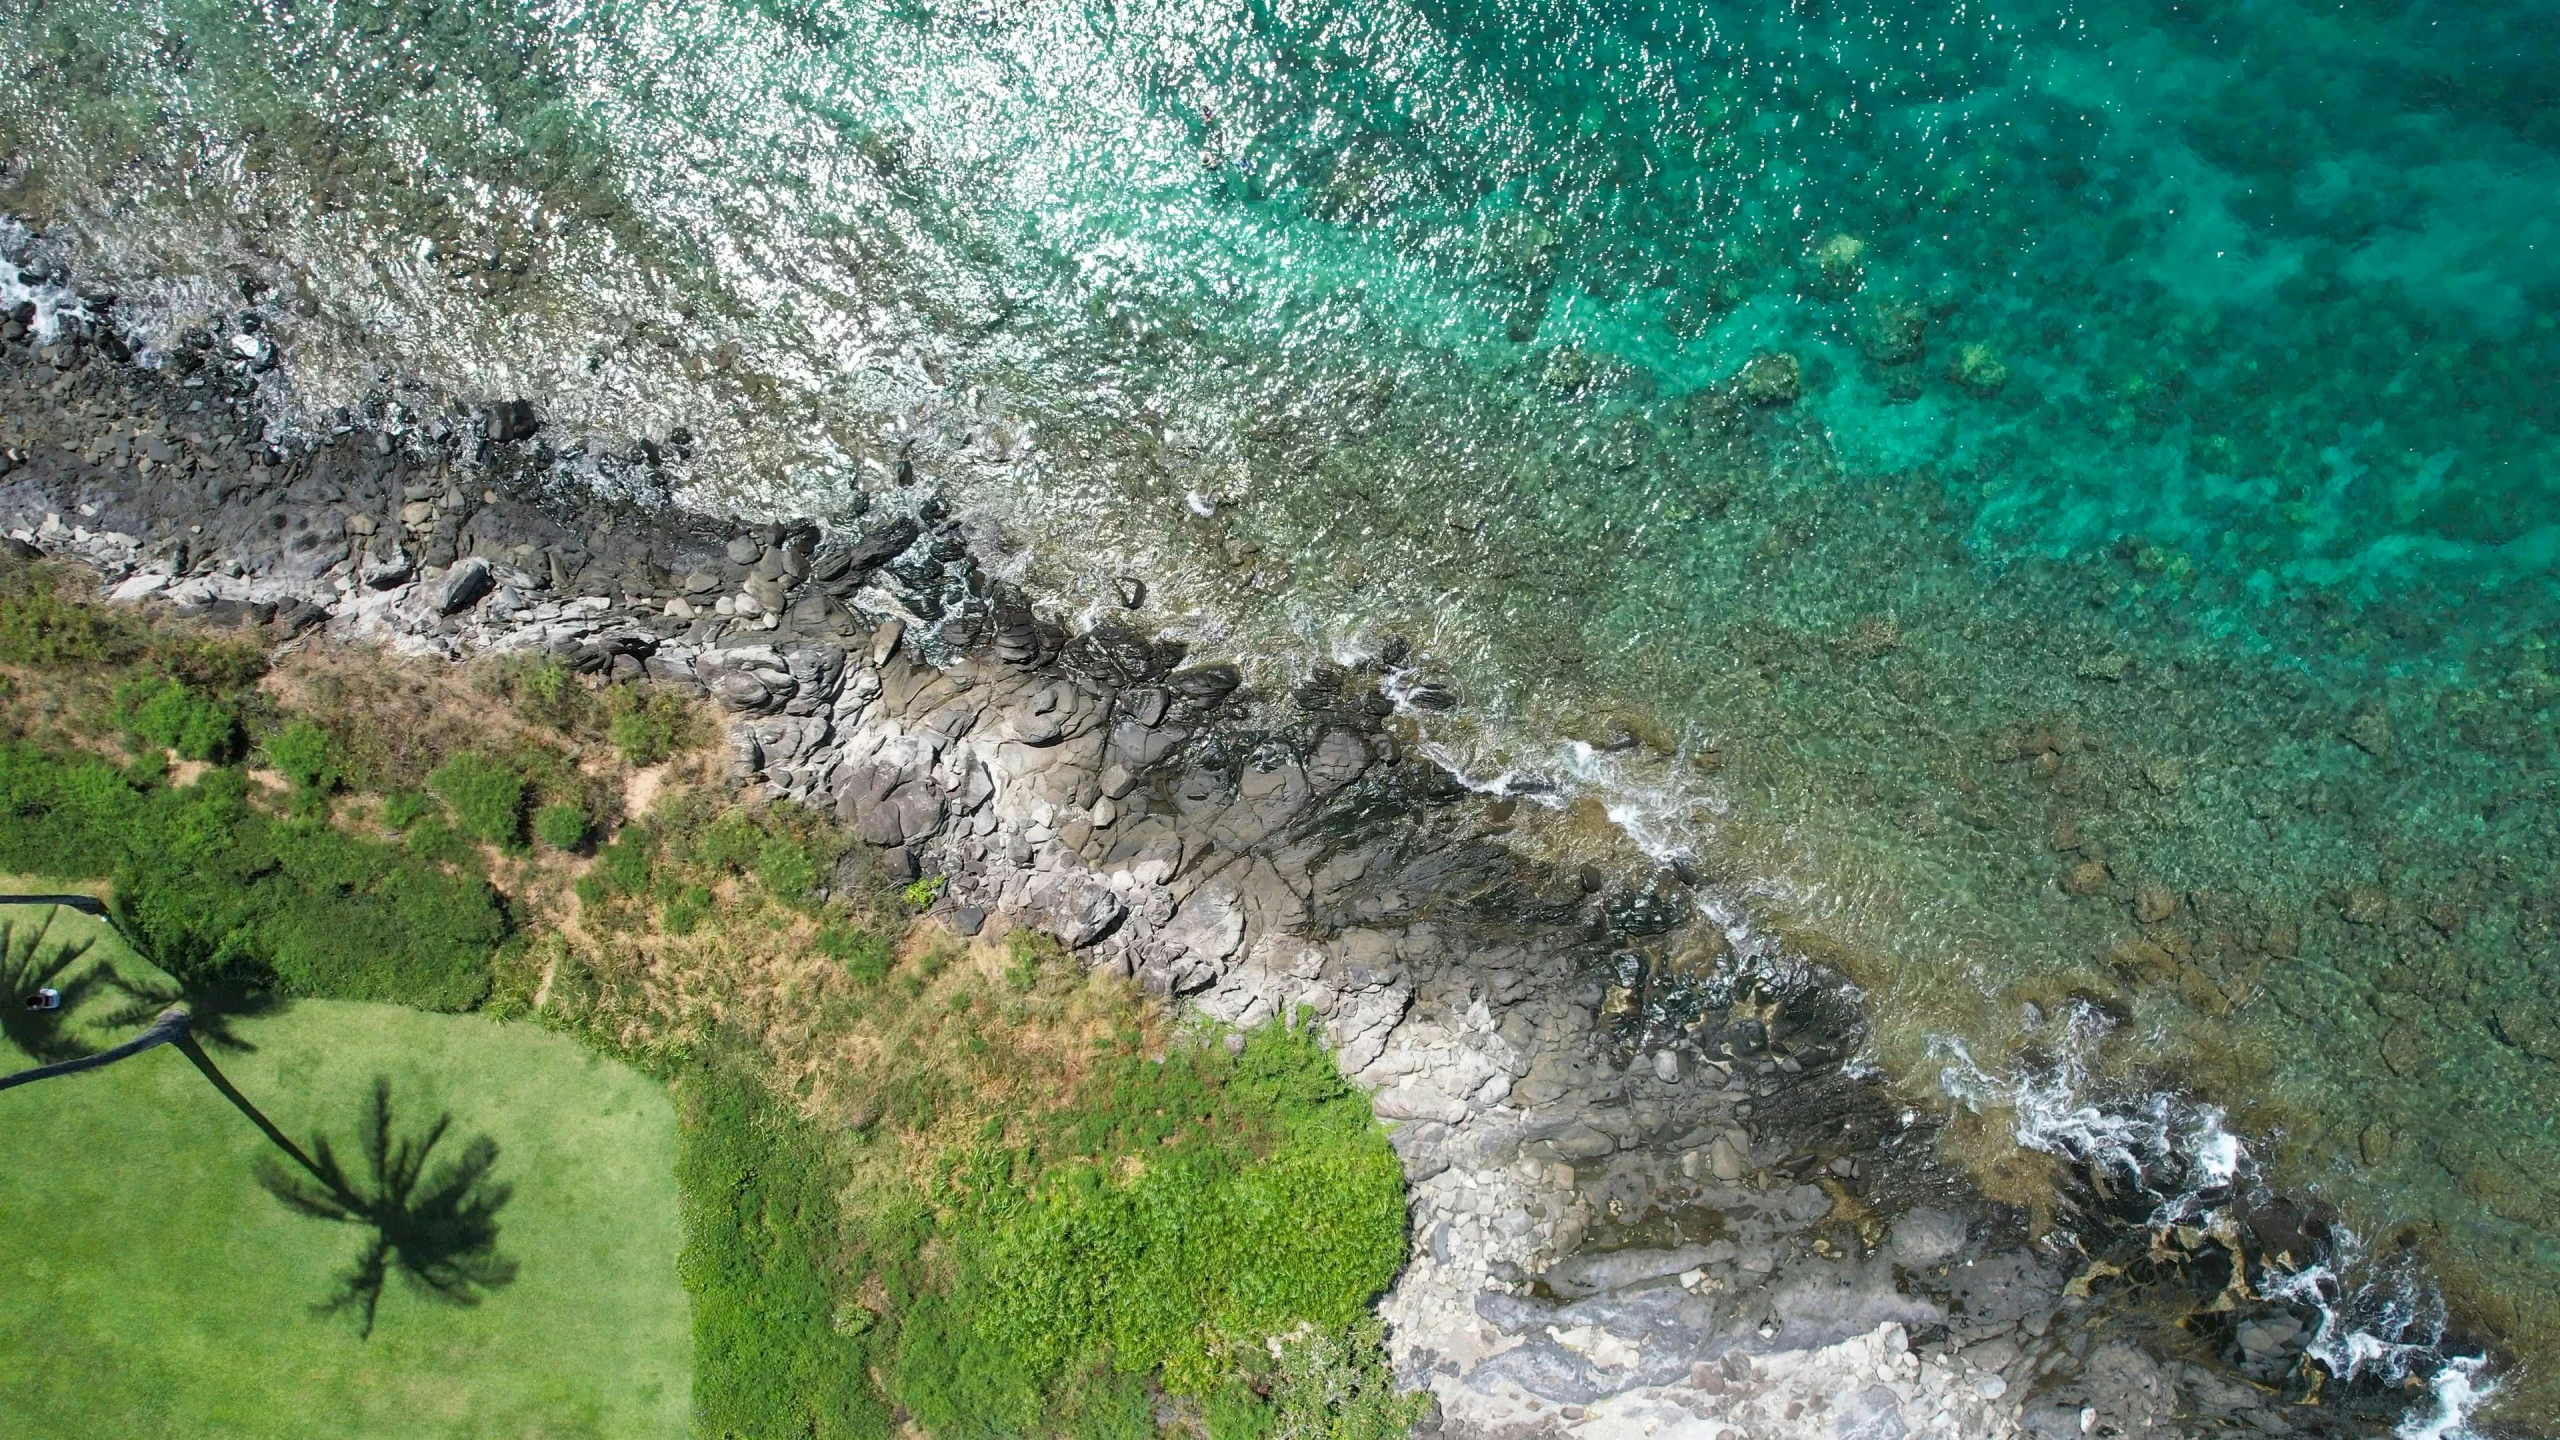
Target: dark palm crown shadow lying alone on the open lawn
{"x": 434, "y": 1226}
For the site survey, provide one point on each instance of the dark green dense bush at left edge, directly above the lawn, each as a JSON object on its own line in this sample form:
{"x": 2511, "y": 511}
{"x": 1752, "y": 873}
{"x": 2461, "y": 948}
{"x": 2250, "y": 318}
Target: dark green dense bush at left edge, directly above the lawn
{"x": 214, "y": 888}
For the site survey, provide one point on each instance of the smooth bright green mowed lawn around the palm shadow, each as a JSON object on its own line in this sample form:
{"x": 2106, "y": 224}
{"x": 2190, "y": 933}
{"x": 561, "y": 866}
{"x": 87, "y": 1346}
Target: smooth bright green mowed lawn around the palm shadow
{"x": 150, "y": 1288}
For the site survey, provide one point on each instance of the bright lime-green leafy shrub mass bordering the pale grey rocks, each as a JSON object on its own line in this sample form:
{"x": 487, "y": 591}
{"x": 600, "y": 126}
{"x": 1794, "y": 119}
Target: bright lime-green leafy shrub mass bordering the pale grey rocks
{"x": 1263, "y": 1198}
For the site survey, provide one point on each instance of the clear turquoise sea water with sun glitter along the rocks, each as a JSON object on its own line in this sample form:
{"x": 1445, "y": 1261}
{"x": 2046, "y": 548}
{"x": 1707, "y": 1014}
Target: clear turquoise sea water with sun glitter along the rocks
{"x": 2170, "y": 509}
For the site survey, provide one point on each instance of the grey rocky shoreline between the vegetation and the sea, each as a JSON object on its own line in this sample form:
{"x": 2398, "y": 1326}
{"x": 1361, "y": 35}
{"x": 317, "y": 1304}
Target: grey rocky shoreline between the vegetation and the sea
{"x": 1650, "y": 1188}
